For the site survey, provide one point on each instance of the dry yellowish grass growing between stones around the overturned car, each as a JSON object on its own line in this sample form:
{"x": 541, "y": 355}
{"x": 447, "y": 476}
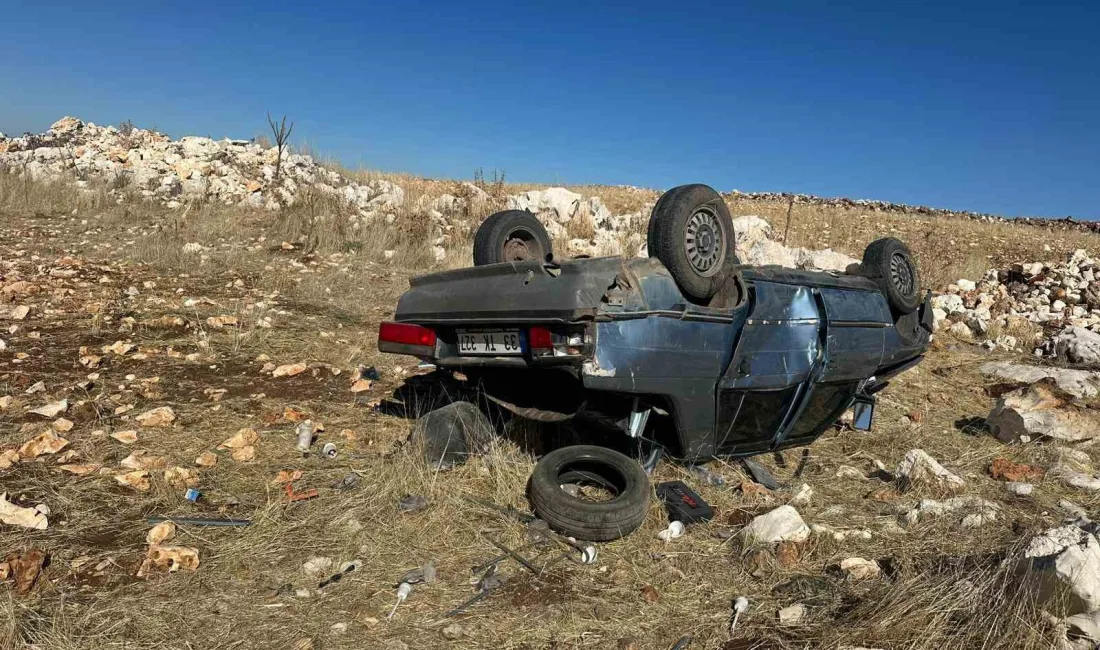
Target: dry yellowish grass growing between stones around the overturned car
{"x": 328, "y": 292}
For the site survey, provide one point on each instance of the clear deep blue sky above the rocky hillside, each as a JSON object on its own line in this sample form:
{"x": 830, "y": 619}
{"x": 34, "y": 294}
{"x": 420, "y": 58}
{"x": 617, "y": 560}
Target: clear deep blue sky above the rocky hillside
{"x": 991, "y": 107}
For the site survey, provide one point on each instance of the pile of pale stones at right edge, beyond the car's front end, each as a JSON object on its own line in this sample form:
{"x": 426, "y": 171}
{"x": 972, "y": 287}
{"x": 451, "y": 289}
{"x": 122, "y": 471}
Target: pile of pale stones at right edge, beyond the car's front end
{"x": 1063, "y": 300}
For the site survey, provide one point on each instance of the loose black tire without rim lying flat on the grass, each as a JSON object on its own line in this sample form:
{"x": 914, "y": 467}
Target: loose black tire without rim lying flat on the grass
{"x": 587, "y": 520}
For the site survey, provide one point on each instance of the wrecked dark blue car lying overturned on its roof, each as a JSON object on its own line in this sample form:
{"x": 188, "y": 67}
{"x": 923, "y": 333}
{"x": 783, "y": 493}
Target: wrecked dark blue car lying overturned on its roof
{"x": 687, "y": 351}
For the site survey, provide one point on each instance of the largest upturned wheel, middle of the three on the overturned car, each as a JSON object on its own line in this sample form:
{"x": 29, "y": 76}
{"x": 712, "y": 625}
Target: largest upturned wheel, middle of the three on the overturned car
{"x": 691, "y": 233}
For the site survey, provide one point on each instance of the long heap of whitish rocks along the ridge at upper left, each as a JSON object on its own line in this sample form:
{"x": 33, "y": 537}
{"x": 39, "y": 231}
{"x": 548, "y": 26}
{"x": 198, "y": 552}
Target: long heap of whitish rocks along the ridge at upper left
{"x": 174, "y": 172}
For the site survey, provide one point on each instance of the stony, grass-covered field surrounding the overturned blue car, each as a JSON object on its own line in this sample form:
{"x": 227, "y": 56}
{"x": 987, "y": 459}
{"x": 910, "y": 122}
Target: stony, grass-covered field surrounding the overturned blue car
{"x": 151, "y": 348}
